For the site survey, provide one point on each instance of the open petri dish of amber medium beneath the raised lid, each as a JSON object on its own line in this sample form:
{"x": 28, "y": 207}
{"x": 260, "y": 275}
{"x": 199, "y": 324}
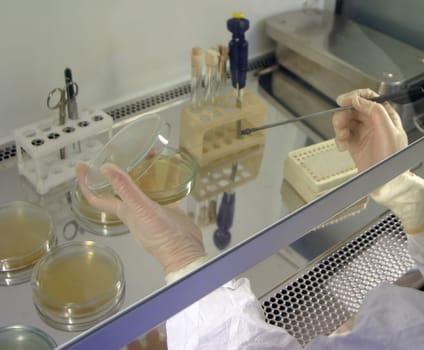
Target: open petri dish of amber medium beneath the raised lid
{"x": 170, "y": 178}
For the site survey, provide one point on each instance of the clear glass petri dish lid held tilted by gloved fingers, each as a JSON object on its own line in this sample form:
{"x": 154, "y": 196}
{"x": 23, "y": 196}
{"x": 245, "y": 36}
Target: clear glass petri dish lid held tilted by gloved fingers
{"x": 134, "y": 148}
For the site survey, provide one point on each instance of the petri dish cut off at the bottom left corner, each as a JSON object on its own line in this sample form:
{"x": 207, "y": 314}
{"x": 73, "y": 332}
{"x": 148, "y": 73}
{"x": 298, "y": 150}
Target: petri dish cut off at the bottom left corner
{"x": 20, "y": 337}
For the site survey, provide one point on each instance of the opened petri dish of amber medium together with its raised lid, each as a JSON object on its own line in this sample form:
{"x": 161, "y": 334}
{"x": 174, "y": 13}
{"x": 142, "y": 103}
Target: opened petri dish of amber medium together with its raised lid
{"x": 141, "y": 149}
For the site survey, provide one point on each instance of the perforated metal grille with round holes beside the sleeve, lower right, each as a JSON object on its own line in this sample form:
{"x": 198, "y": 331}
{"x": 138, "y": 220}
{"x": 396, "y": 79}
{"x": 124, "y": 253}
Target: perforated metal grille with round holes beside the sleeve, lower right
{"x": 329, "y": 293}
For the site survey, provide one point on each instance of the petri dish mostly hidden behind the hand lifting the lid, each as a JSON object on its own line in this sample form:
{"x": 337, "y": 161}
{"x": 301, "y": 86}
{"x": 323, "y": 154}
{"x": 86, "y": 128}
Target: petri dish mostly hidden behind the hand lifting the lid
{"x": 93, "y": 219}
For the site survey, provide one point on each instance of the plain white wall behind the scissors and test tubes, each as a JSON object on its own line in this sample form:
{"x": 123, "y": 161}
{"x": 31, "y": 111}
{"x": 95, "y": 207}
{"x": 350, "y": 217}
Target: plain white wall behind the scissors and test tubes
{"x": 116, "y": 49}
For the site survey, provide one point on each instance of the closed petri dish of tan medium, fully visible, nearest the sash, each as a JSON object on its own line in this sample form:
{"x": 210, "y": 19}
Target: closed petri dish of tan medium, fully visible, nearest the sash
{"x": 78, "y": 284}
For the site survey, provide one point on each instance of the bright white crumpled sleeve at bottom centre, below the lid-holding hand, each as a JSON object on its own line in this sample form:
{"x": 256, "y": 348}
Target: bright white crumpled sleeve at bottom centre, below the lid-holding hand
{"x": 228, "y": 318}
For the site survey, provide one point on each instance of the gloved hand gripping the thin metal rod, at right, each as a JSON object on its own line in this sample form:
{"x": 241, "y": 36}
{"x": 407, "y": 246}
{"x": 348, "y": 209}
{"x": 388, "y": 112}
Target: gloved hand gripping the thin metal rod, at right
{"x": 371, "y": 131}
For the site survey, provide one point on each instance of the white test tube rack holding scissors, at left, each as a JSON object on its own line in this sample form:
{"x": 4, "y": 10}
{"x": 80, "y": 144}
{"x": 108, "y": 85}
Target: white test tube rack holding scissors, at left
{"x": 38, "y": 147}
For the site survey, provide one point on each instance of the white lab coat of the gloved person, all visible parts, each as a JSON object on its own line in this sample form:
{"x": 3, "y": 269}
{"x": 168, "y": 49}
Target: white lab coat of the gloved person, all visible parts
{"x": 391, "y": 317}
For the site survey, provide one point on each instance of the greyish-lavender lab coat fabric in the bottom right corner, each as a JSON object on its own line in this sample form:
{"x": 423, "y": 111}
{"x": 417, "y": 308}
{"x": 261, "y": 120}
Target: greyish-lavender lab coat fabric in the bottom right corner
{"x": 390, "y": 317}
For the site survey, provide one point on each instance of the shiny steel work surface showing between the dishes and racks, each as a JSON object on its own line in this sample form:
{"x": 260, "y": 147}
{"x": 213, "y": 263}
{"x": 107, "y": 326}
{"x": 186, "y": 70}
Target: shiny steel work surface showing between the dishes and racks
{"x": 259, "y": 203}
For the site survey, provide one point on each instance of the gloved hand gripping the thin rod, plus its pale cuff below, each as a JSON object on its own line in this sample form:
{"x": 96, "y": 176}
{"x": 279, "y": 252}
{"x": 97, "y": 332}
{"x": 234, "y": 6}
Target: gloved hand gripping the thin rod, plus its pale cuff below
{"x": 372, "y": 132}
